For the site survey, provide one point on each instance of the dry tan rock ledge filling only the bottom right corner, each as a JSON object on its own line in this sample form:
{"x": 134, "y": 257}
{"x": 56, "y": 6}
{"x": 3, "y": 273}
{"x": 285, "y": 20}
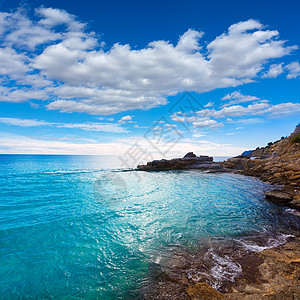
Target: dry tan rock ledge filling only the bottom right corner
{"x": 278, "y": 275}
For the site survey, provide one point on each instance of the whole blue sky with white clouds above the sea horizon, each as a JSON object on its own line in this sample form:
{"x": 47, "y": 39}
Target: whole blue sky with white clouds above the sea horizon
{"x": 147, "y": 78}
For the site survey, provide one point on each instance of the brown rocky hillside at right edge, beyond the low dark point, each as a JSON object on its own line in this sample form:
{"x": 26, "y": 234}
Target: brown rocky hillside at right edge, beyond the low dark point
{"x": 278, "y": 163}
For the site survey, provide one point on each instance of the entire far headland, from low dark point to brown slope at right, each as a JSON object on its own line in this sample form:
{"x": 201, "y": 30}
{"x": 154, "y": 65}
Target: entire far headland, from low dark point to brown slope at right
{"x": 277, "y": 164}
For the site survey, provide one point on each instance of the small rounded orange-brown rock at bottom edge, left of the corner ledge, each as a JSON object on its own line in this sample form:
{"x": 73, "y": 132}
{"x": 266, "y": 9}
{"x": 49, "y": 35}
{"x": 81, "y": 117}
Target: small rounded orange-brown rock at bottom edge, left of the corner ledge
{"x": 203, "y": 291}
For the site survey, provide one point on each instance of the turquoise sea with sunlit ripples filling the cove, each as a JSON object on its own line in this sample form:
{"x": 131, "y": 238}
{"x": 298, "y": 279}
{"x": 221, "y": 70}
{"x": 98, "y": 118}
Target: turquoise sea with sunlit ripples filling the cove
{"x": 77, "y": 227}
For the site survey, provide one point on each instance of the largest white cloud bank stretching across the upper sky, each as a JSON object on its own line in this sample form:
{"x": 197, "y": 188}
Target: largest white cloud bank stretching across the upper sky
{"x": 75, "y": 74}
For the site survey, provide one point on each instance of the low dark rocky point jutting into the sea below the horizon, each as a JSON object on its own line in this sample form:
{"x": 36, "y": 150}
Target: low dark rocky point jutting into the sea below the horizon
{"x": 189, "y": 161}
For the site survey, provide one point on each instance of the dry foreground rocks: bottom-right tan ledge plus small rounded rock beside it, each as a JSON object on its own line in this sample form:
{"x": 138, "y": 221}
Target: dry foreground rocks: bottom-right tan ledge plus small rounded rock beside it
{"x": 276, "y": 276}
